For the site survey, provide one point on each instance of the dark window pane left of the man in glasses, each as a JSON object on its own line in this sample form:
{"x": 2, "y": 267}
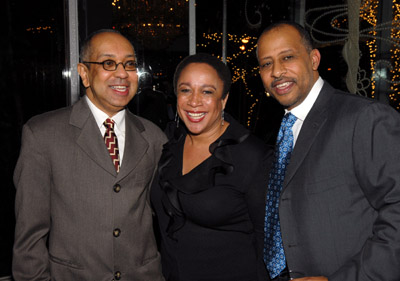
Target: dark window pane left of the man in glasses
{"x": 32, "y": 60}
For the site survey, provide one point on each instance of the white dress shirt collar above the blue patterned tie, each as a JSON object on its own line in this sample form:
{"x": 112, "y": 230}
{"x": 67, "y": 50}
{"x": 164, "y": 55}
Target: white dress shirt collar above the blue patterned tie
{"x": 301, "y": 111}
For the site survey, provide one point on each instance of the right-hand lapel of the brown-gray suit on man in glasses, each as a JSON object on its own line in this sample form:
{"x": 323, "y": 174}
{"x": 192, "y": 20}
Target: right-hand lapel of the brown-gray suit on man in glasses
{"x": 135, "y": 145}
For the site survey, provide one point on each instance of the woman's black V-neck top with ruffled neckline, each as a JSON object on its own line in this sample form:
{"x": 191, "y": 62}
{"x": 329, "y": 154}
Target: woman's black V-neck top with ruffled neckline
{"x": 206, "y": 232}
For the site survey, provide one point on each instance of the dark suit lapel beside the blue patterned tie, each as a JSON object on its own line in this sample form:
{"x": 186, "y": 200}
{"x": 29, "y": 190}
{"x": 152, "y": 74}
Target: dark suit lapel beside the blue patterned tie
{"x": 313, "y": 123}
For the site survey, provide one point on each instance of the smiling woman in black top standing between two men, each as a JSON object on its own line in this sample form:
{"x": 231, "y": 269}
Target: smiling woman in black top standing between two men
{"x": 209, "y": 170}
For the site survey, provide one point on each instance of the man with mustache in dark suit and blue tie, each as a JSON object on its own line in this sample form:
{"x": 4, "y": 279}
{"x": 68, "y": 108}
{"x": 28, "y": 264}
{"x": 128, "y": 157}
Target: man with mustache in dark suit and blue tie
{"x": 339, "y": 207}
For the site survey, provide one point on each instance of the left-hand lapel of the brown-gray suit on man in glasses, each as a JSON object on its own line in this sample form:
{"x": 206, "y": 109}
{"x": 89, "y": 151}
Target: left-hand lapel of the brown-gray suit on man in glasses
{"x": 90, "y": 138}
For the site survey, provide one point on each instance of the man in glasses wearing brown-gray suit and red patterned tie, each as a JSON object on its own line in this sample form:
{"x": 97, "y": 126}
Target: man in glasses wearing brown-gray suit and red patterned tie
{"x": 79, "y": 215}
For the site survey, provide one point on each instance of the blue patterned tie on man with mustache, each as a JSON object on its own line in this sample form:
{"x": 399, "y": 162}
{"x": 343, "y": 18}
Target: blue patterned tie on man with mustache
{"x": 274, "y": 255}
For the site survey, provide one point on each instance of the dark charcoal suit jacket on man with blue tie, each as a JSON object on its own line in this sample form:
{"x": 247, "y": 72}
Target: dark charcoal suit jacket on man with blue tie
{"x": 340, "y": 205}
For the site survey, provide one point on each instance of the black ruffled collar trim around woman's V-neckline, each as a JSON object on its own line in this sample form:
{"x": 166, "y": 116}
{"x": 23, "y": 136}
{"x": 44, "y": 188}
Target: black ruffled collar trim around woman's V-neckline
{"x": 202, "y": 177}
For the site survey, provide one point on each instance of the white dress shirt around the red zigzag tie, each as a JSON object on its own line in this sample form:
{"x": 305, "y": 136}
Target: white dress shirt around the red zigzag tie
{"x": 119, "y": 127}
